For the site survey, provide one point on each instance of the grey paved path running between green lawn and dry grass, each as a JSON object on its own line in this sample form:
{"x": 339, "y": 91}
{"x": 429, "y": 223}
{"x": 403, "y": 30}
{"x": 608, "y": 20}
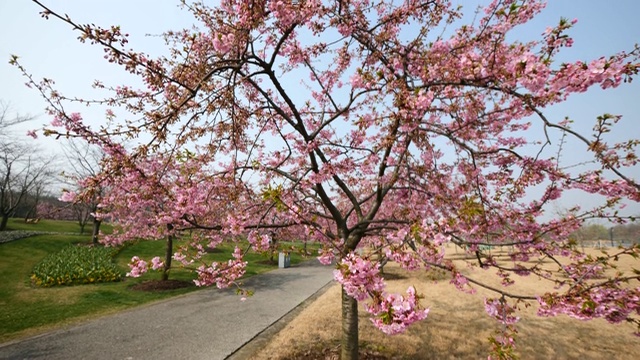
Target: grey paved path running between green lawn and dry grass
{"x": 208, "y": 324}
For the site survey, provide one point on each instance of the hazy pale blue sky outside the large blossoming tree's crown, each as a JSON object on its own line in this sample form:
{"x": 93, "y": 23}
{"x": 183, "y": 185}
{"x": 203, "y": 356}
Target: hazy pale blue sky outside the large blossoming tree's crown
{"x": 49, "y": 48}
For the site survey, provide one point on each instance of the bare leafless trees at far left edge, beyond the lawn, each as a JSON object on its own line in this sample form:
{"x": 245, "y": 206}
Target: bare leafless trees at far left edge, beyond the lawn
{"x": 30, "y": 182}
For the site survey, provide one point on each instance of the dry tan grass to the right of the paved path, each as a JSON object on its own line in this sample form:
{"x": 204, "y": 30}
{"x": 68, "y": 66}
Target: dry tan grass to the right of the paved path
{"x": 457, "y": 327}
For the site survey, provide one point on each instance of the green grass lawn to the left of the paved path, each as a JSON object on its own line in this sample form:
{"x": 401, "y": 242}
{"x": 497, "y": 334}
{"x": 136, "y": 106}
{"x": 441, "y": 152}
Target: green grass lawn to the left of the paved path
{"x": 28, "y": 310}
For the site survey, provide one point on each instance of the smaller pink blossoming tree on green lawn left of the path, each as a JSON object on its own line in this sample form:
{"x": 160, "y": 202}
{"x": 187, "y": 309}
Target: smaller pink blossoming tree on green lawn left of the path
{"x": 157, "y": 200}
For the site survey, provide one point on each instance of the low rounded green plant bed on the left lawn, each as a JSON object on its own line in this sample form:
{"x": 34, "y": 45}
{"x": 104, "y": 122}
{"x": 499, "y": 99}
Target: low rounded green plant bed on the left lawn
{"x": 77, "y": 265}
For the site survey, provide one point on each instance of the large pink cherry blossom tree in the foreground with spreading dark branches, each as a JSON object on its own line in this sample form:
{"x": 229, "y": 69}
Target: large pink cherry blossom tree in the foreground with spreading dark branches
{"x": 365, "y": 126}
